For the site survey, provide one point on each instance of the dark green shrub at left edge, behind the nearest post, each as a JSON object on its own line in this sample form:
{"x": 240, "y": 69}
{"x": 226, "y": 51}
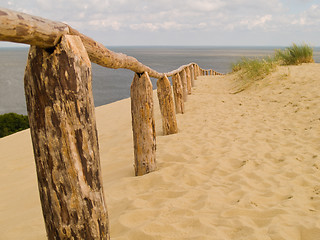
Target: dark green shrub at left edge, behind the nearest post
{"x": 11, "y": 123}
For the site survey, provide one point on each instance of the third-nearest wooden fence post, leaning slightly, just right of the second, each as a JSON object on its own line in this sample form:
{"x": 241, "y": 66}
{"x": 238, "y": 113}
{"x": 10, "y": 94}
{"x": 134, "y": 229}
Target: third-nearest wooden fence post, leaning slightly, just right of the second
{"x": 169, "y": 122}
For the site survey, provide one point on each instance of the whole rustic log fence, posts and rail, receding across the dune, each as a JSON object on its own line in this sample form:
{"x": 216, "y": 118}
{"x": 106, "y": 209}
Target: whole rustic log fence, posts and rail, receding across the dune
{"x": 62, "y": 118}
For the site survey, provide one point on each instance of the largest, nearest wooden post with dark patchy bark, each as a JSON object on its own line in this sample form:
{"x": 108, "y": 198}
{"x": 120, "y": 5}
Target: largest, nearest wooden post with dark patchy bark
{"x": 65, "y": 141}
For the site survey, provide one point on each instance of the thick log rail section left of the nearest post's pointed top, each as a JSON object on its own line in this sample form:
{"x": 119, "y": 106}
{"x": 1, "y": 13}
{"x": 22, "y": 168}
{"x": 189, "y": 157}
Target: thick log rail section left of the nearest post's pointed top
{"x": 24, "y": 28}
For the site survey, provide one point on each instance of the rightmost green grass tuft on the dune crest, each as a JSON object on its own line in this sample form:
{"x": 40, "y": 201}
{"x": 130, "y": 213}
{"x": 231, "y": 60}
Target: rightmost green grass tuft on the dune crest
{"x": 296, "y": 54}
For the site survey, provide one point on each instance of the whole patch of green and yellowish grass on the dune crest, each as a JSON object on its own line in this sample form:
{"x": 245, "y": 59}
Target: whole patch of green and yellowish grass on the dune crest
{"x": 250, "y": 70}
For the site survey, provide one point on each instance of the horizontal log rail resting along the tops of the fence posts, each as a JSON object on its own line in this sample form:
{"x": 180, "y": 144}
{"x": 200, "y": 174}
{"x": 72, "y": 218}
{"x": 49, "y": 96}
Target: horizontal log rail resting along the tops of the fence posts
{"x": 24, "y": 28}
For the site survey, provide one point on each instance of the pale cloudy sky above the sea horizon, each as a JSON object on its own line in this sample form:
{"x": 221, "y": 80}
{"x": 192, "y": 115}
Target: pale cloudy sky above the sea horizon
{"x": 184, "y": 22}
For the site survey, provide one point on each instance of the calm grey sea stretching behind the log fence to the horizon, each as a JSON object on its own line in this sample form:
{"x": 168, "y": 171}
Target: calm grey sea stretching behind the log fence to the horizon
{"x": 110, "y": 85}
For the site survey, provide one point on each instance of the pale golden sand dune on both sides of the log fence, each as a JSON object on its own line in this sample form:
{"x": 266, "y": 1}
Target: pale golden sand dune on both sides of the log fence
{"x": 243, "y": 166}
